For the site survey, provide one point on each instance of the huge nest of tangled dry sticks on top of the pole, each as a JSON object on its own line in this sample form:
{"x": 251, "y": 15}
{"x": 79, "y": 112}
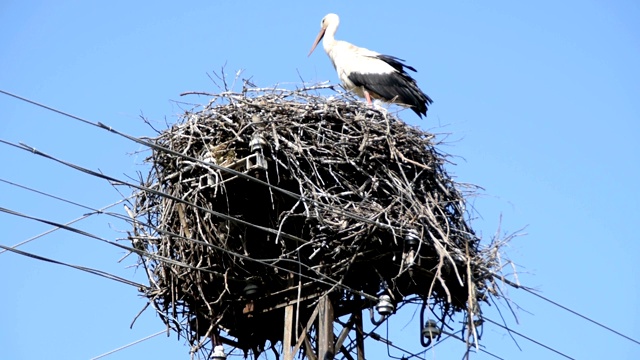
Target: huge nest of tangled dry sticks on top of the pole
{"x": 354, "y": 203}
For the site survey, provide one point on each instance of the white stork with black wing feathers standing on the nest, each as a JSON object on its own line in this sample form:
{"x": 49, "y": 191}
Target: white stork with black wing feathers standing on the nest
{"x": 370, "y": 74}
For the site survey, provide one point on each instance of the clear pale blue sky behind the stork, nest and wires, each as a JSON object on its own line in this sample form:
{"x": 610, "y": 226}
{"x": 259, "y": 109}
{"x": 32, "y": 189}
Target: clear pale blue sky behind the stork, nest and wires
{"x": 538, "y": 101}
